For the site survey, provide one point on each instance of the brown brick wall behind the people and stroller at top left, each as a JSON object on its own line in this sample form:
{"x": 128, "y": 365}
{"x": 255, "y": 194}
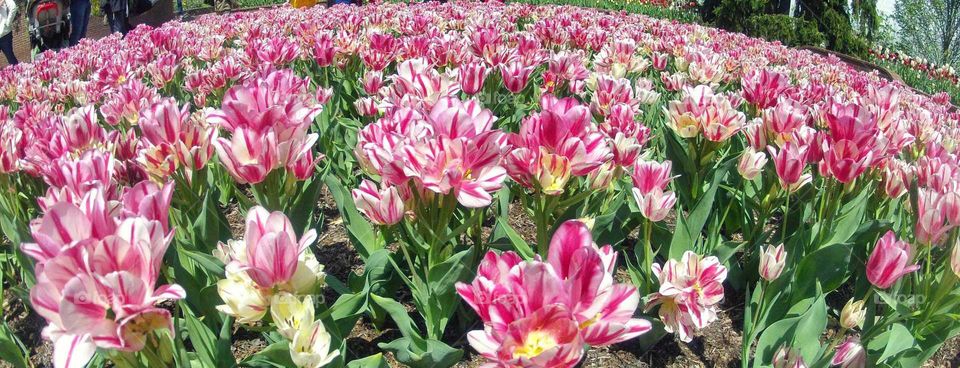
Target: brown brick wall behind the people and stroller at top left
{"x": 161, "y": 12}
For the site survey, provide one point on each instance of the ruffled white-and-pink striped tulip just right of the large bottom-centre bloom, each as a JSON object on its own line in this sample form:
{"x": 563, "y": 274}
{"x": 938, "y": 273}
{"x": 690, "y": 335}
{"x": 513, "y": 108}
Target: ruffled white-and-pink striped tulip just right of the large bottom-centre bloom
{"x": 690, "y": 291}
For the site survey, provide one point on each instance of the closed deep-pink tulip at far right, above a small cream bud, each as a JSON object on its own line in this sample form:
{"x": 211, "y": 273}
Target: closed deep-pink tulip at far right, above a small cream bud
{"x": 889, "y": 261}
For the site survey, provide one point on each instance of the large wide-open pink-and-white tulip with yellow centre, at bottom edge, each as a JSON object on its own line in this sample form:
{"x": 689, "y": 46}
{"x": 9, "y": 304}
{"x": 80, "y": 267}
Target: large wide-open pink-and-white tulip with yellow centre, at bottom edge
{"x": 575, "y": 286}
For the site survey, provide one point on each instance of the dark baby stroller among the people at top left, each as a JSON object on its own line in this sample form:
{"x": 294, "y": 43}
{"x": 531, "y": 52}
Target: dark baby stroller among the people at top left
{"x": 48, "y": 24}
